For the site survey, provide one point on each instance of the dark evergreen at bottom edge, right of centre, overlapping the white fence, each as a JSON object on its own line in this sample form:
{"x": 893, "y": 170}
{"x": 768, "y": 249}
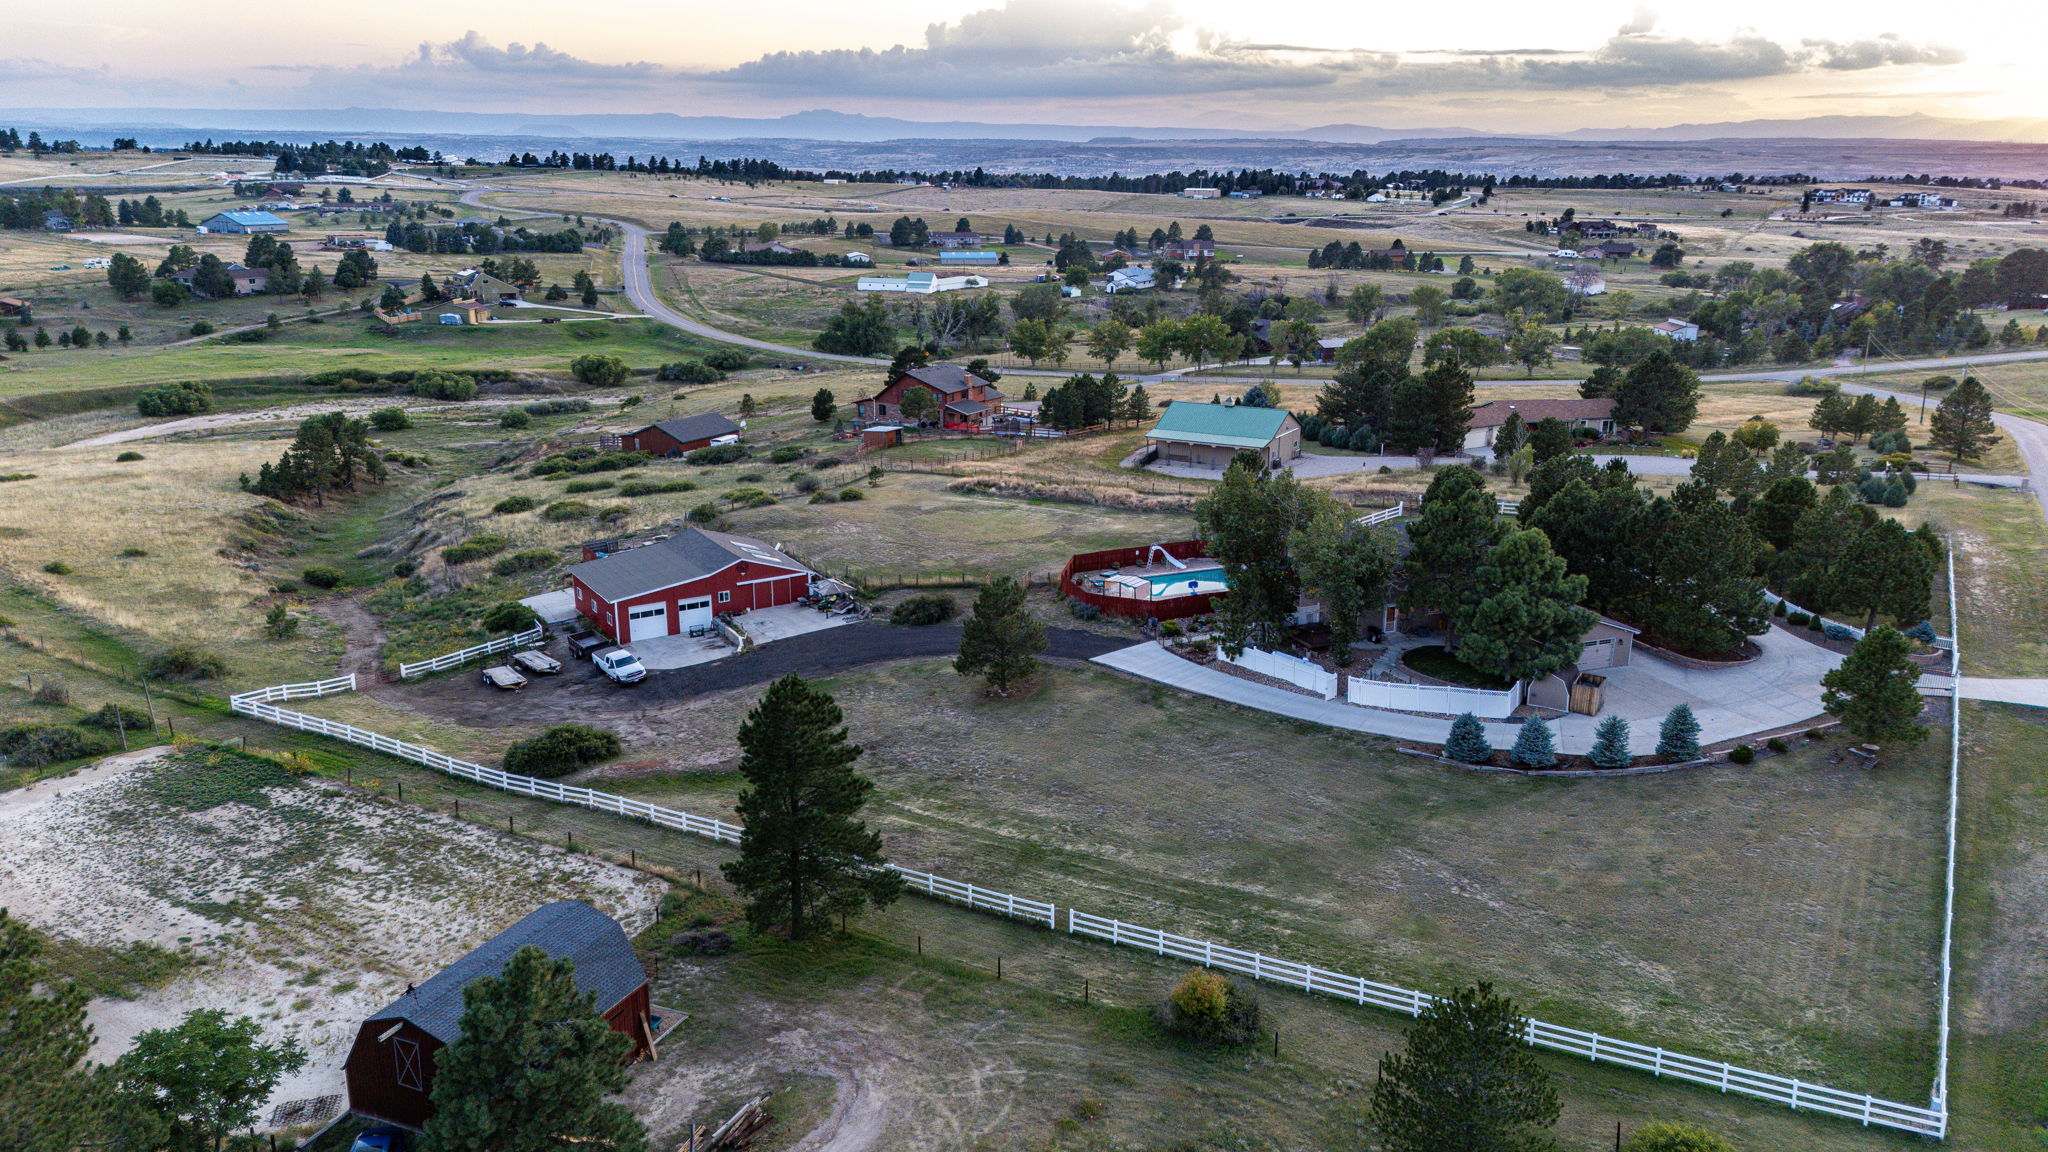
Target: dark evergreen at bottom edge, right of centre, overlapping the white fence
{"x": 1467, "y": 1081}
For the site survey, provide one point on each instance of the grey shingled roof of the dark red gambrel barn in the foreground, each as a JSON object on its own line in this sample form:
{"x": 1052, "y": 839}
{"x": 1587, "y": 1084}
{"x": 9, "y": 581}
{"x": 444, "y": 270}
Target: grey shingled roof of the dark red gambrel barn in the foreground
{"x": 568, "y": 930}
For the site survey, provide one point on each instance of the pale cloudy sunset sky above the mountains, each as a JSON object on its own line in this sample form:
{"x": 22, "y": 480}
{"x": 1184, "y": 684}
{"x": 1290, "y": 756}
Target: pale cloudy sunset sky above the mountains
{"x": 1283, "y": 65}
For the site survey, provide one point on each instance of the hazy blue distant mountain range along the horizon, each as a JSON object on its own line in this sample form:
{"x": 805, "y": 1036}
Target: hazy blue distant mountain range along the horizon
{"x": 855, "y": 128}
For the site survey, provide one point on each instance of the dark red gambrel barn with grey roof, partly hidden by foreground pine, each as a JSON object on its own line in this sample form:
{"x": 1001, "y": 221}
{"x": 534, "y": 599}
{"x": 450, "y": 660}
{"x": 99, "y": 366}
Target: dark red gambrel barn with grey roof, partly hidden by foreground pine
{"x": 392, "y": 1065}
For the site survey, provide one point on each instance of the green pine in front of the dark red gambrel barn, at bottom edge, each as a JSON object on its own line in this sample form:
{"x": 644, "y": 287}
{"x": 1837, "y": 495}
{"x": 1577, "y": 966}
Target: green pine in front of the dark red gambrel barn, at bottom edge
{"x": 534, "y": 1069}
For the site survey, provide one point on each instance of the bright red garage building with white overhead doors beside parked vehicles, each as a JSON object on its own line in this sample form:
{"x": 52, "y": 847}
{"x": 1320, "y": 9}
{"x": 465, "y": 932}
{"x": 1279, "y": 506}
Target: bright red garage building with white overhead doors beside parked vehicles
{"x": 677, "y": 585}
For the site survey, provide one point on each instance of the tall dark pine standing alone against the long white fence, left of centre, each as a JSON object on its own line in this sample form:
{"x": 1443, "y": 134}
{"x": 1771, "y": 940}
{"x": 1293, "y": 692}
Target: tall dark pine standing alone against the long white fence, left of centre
{"x": 804, "y": 854}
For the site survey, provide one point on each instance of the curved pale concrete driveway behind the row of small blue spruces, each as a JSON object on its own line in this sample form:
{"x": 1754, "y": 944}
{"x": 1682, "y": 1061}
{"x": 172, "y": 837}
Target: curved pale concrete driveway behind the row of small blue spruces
{"x": 1779, "y": 690}
